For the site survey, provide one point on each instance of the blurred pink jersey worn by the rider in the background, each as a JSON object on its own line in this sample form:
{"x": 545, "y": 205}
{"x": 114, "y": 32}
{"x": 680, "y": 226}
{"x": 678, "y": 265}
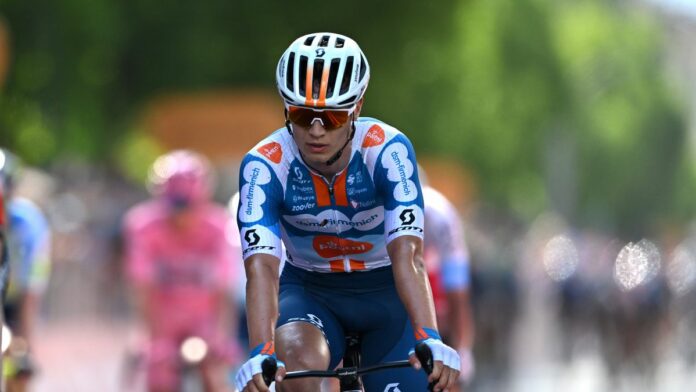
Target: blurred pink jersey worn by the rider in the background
{"x": 186, "y": 272}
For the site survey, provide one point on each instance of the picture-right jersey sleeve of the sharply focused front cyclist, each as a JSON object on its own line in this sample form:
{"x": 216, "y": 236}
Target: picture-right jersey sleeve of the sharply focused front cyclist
{"x": 396, "y": 180}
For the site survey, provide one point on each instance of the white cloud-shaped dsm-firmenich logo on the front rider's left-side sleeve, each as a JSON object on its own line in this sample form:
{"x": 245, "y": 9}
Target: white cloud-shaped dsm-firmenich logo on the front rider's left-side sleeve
{"x": 252, "y": 195}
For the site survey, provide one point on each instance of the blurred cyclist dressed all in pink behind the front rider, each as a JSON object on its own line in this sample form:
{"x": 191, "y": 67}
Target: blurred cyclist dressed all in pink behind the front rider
{"x": 180, "y": 265}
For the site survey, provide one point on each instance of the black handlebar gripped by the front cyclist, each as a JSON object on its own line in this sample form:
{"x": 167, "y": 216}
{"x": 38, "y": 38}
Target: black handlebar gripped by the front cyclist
{"x": 269, "y": 366}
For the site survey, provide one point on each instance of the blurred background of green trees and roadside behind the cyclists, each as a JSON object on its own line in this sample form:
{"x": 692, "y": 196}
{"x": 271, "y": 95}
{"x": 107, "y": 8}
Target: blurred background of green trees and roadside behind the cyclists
{"x": 563, "y": 130}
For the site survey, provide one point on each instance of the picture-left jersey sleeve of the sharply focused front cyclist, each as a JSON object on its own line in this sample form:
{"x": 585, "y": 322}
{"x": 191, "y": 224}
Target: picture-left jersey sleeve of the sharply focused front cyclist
{"x": 258, "y": 213}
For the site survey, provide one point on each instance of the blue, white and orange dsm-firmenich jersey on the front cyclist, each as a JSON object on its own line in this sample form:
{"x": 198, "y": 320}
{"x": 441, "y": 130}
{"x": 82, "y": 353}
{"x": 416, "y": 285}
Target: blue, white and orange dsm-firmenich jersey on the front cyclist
{"x": 341, "y": 225}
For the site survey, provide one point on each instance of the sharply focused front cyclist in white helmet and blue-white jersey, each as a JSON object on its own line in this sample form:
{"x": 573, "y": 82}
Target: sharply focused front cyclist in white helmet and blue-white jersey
{"x": 343, "y": 194}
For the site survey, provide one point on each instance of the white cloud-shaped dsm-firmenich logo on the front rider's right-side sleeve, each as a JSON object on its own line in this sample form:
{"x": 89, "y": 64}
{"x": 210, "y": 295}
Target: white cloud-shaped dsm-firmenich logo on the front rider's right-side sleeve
{"x": 399, "y": 170}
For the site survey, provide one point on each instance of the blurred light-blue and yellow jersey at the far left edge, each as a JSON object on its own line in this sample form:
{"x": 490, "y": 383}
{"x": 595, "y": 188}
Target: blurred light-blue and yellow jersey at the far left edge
{"x": 29, "y": 240}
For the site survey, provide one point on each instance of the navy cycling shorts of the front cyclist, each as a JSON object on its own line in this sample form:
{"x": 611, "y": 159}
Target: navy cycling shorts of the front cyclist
{"x": 359, "y": 302}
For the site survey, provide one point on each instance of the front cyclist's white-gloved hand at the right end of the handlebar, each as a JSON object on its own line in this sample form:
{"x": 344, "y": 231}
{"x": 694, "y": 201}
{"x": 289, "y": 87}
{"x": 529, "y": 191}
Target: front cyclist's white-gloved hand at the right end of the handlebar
{"x": 446, "y": 363}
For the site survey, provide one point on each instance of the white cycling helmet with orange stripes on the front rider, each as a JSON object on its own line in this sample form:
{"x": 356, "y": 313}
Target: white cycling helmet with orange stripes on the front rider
{"x": 323, "y": 70}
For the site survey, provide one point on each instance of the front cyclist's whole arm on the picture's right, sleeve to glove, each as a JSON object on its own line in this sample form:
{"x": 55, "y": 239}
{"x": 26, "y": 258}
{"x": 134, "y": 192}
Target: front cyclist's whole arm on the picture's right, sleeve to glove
{"x": 396, "y": 180}
